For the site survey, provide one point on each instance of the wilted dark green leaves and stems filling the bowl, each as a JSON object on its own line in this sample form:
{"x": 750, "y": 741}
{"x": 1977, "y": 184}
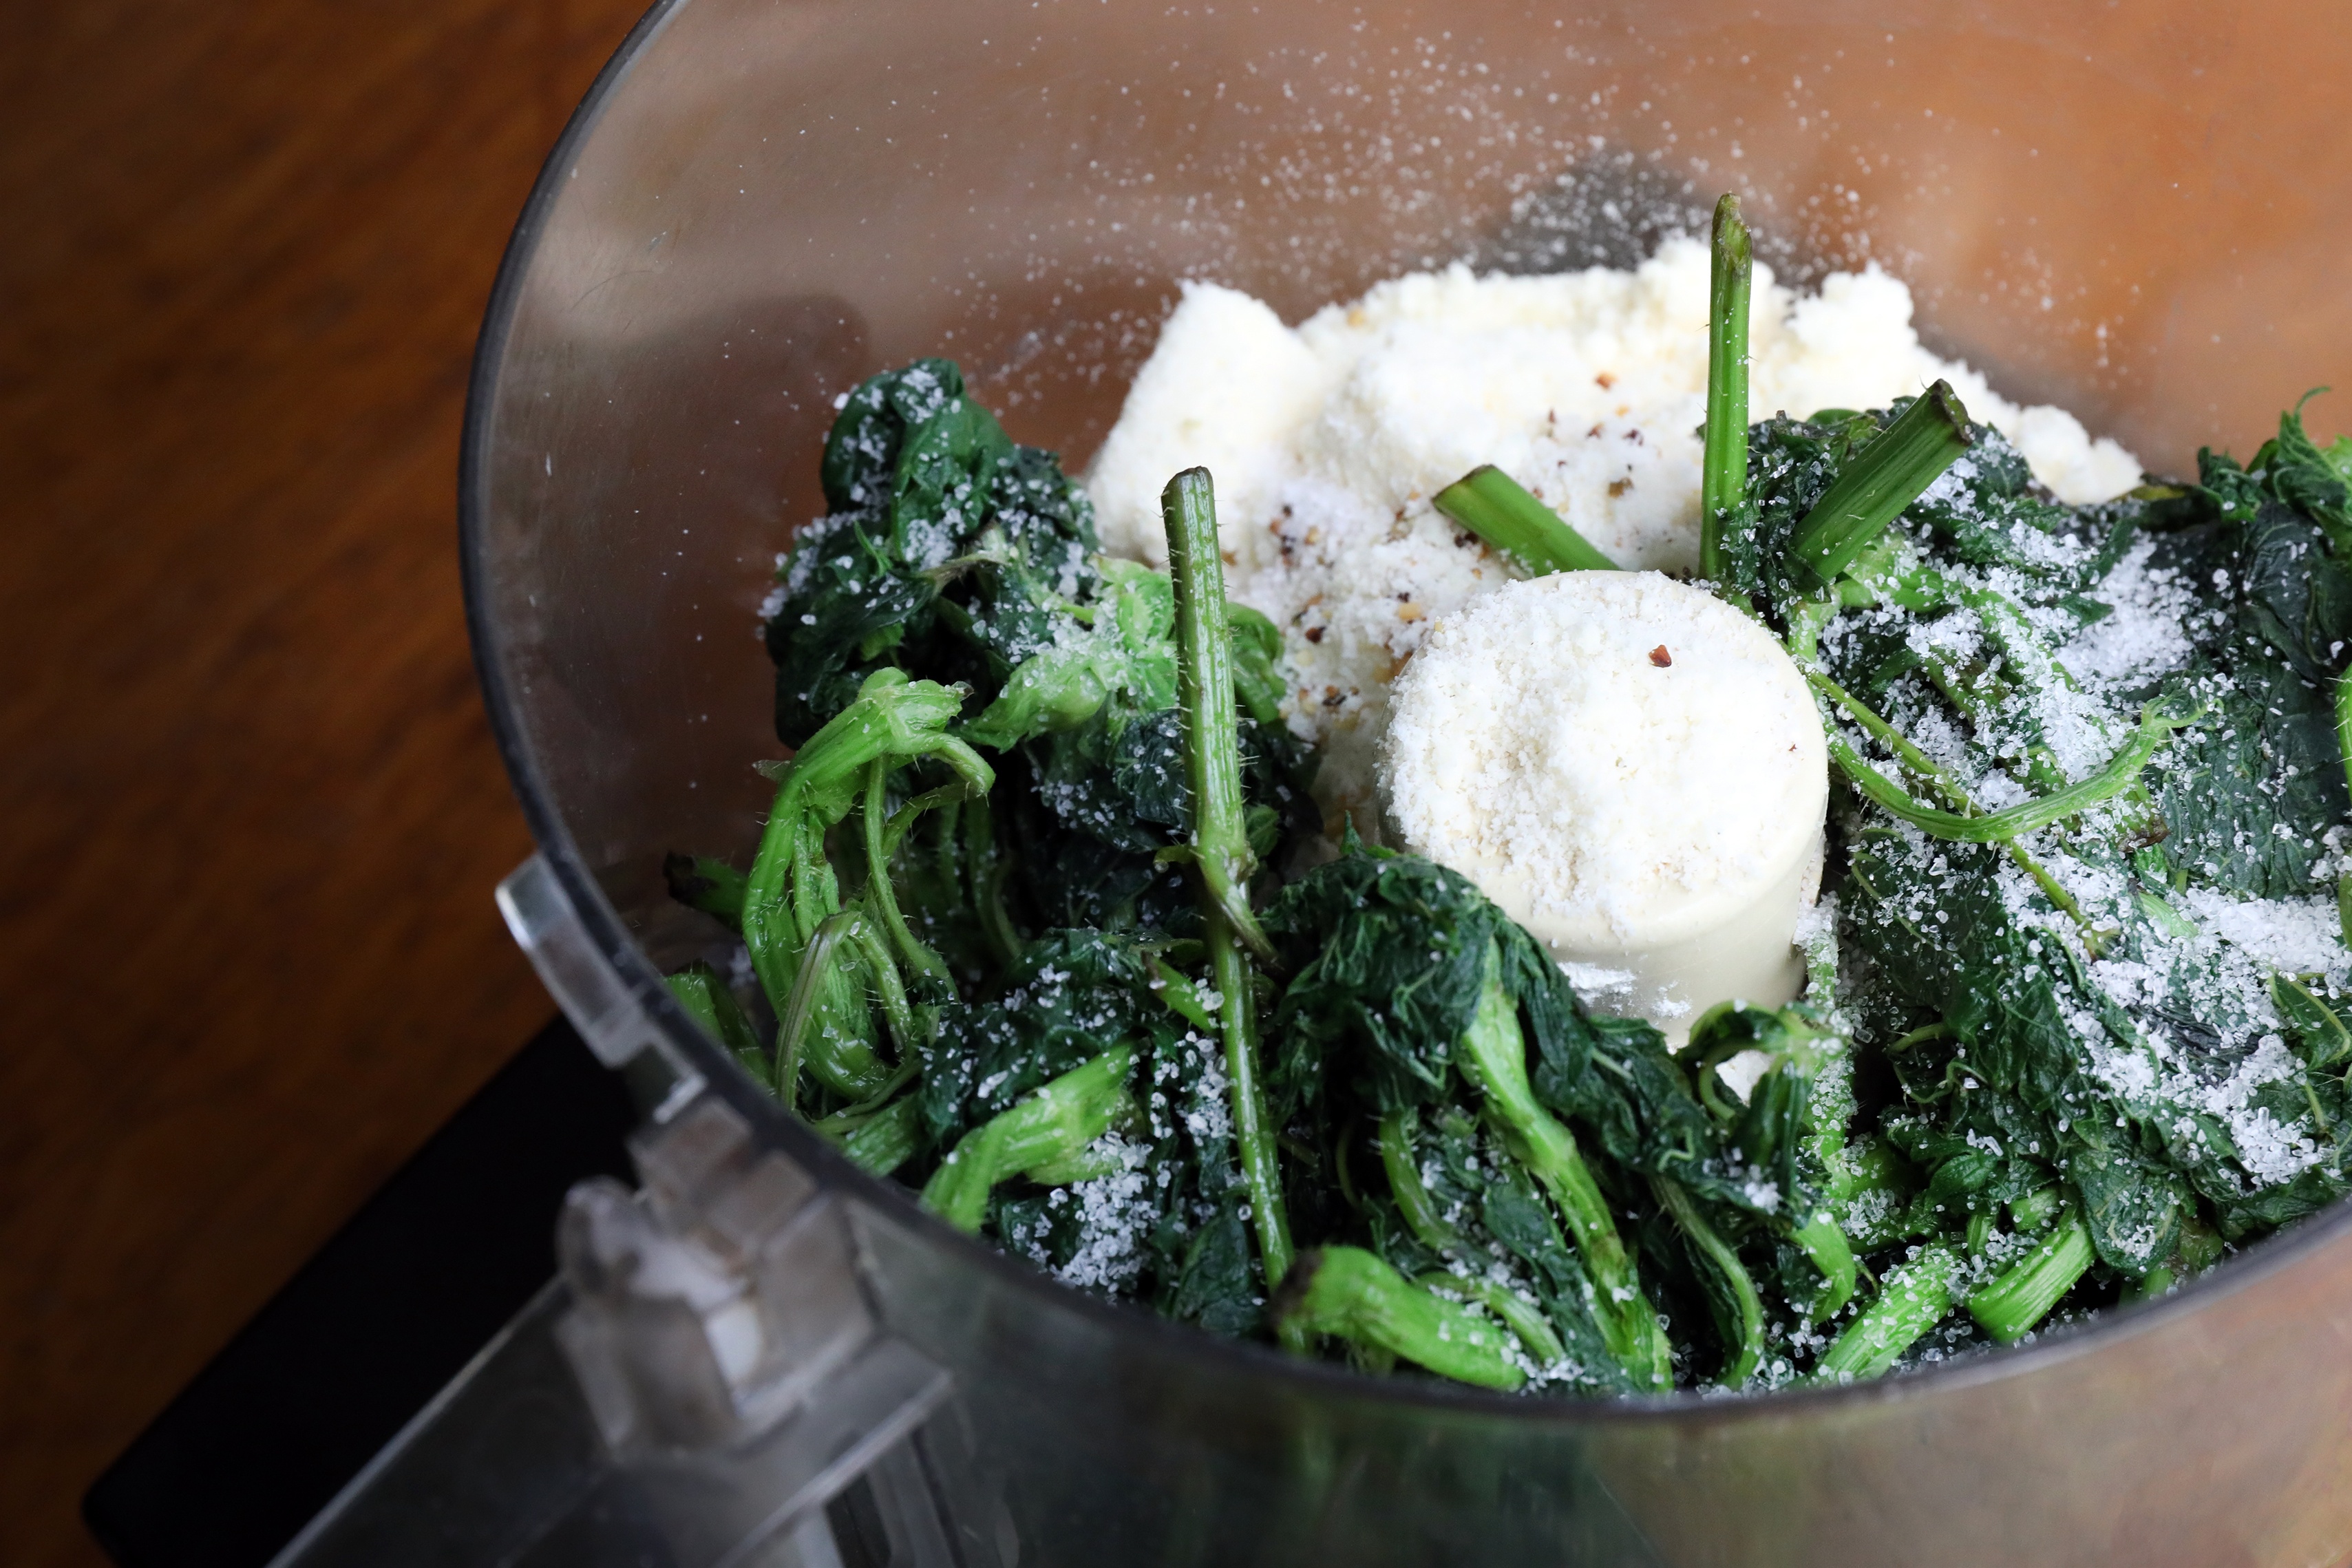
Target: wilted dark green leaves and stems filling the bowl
{"x": 1041, "y": 923}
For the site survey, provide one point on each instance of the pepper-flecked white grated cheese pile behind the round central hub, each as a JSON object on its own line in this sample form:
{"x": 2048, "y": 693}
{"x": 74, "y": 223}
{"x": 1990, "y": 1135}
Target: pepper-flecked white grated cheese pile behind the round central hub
{"x": 1330, "y": 438}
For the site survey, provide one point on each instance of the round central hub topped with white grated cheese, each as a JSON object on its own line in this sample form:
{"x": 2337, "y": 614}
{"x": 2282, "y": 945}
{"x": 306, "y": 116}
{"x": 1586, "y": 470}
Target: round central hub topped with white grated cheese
{"x": 1631, "y": 770}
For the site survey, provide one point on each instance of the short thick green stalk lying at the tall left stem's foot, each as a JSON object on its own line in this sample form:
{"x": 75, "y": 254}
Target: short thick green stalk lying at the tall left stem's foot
{"x": 1354, "y": 1294}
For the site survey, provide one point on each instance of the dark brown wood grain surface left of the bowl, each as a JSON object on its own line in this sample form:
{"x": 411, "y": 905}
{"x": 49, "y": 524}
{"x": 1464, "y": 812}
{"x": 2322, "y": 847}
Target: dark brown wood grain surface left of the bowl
{"x": 250, "y": 812}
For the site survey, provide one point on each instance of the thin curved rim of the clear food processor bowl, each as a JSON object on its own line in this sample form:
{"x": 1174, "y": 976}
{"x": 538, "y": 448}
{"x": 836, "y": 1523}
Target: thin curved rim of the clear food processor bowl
{"x": 1144, "y": 1329}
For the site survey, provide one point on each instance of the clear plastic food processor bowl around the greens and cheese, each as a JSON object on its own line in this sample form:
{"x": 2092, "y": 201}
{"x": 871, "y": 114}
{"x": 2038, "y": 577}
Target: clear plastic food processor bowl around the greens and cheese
{"x": 2120, "y": 210}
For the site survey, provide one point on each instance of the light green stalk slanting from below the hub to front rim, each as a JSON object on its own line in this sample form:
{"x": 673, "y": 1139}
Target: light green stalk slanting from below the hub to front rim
{"x": 1495, "y": 1059}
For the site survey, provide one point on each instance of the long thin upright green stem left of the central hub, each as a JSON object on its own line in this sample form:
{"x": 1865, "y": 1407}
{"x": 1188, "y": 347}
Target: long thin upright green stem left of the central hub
{"x": 1222, "y": 852}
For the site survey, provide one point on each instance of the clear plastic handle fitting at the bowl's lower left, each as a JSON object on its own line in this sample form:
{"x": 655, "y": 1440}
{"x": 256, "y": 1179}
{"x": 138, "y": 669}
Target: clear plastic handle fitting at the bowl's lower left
{"x": 695, "y": 1391}
